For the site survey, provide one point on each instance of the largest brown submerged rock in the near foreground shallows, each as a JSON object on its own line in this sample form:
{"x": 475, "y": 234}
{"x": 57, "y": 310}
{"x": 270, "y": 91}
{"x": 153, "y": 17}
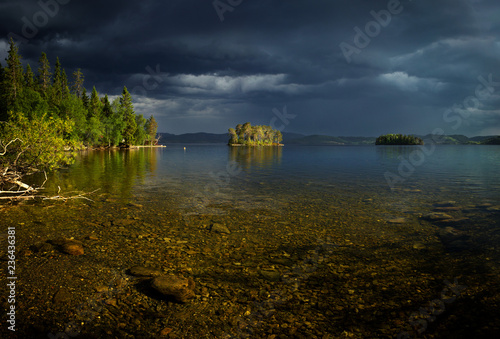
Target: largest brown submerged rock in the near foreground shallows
{"x": 178, "y": 287}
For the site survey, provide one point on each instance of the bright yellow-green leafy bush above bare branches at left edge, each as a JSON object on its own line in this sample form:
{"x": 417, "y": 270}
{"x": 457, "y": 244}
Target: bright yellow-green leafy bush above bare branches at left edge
{"x": 38, "y": 144}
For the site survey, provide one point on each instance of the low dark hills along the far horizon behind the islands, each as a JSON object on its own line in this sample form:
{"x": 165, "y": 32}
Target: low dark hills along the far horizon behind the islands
{"x": 317, "y": 140}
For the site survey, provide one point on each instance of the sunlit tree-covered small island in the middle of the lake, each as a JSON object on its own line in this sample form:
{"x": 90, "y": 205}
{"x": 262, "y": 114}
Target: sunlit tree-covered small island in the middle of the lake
{"x": 248, "y": 135}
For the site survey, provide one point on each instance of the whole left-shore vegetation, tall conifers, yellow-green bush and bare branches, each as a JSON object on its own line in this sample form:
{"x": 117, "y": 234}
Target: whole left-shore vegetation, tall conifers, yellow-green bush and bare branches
{"x": 45, "y": 119}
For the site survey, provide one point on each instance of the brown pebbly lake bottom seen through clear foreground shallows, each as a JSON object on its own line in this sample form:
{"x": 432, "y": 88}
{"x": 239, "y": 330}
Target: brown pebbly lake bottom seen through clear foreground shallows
{"x": 314, "y": 265}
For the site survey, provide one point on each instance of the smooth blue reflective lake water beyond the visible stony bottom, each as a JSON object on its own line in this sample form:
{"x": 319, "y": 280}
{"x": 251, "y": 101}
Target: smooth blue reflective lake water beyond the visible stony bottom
{"x": 466, "y": 173}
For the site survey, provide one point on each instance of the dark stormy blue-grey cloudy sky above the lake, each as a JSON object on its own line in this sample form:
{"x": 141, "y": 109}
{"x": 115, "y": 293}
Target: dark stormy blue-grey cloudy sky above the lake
{"x": 342, "y": 68}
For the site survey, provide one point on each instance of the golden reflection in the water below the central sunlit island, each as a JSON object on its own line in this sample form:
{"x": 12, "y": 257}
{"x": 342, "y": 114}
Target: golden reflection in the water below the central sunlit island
{"x": 258, "y": 157}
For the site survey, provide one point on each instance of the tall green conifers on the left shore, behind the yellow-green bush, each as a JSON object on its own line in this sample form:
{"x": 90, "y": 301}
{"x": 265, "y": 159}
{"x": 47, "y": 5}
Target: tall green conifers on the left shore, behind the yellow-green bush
{"x": 46, "y": 99}
